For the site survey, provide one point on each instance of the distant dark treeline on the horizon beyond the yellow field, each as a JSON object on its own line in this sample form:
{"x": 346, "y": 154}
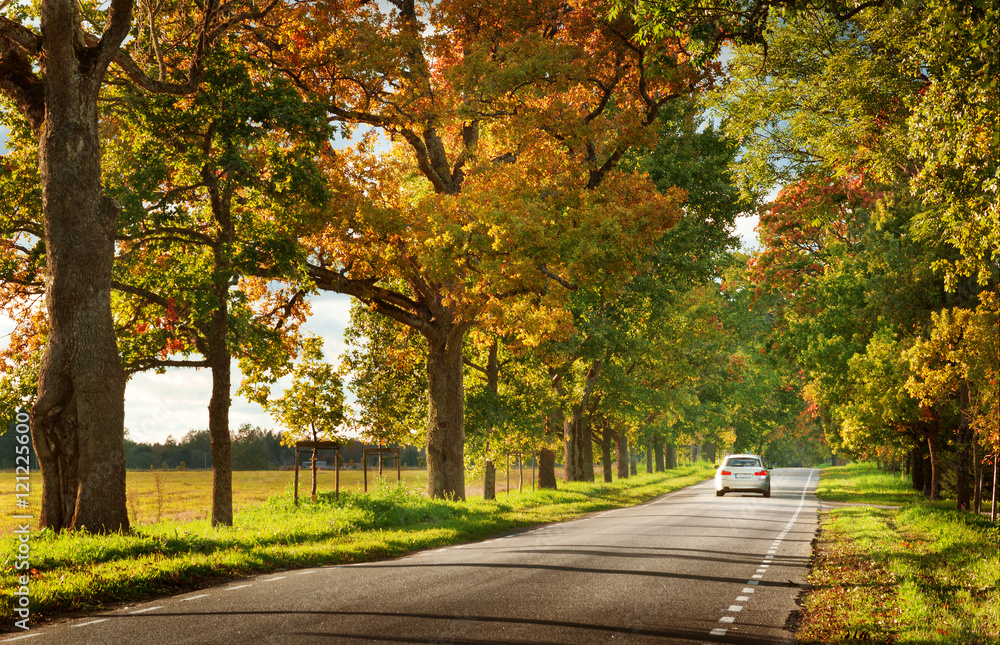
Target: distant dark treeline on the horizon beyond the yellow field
{"x": 253, "y": 449}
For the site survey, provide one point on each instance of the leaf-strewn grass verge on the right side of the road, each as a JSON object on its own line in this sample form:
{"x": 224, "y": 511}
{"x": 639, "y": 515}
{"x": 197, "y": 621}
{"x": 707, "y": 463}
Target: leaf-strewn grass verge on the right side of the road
{"x": 924, "y": 573}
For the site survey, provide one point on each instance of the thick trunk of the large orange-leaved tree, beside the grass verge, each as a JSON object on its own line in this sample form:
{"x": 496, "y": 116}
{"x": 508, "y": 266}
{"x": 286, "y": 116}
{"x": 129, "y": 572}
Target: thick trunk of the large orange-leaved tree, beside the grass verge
{"x": 445, "y": 413}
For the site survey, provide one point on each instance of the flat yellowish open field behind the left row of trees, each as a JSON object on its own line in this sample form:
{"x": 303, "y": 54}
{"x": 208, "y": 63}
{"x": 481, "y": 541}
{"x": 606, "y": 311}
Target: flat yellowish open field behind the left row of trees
{"x": 186, "y": 495}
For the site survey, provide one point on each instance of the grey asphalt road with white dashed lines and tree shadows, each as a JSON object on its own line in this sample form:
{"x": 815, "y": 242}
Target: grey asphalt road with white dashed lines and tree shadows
{"x": 686, "y": 568}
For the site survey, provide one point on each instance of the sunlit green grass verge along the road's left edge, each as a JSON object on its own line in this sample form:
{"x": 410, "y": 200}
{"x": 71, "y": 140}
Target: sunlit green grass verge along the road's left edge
{"x": 84, "y": 572}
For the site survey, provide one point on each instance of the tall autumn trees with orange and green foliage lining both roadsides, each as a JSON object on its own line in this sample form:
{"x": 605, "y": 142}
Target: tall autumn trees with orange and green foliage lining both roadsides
{"x": 533, "y": 198}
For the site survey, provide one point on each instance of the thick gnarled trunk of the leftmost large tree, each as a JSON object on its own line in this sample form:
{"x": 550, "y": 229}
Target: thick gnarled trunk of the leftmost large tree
{"x": 78, "y": 418}
